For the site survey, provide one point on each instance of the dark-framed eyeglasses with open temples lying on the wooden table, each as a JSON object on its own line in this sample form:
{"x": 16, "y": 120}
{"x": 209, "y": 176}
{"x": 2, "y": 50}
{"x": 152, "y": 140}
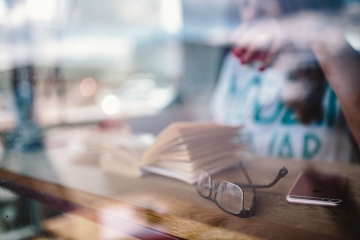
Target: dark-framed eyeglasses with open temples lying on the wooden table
{"x": 229, "y": 196}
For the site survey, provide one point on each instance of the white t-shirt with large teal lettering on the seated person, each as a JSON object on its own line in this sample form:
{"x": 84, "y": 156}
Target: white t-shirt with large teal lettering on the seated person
{"x": 247, "y": 96}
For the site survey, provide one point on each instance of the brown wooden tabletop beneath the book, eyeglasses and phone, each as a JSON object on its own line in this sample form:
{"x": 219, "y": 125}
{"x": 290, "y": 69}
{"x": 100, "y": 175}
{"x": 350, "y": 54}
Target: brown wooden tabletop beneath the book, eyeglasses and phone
{"x": 156, "y": 207}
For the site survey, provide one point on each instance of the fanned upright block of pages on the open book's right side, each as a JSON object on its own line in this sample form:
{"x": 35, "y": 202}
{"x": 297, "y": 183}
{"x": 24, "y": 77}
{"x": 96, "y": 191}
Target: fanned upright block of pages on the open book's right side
{"x": 183, "y": 149}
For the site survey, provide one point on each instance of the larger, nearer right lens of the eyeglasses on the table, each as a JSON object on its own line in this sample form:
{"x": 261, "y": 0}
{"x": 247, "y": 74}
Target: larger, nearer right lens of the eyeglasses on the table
{"x": 230, "y": 197}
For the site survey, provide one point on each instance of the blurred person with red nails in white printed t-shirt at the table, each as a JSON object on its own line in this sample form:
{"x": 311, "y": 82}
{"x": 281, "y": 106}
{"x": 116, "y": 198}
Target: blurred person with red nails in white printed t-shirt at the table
{"x": 289, "y": 66}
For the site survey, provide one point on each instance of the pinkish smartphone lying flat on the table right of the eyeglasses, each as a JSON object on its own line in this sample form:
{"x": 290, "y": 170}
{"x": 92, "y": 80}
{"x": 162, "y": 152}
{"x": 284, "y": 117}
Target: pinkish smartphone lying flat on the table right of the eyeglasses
{"x": 319, "y": 186}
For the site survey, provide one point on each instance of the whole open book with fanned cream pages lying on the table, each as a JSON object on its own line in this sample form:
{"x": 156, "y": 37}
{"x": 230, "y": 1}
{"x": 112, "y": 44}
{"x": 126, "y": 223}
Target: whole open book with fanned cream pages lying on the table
{"x": 180, "y": 151}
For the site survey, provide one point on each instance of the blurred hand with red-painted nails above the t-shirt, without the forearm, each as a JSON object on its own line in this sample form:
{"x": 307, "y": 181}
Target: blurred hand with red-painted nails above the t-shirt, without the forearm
{"x": 261, "y": 40}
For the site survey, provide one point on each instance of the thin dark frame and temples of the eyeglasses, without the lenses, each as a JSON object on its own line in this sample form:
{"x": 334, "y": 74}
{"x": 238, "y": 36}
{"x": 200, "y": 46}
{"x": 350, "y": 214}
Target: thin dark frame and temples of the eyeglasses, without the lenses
{"x": 244, "y": 213}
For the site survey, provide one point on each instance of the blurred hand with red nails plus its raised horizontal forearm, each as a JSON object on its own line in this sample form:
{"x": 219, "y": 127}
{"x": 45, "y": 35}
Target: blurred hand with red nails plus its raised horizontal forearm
{"x": 264, "y": 39}
